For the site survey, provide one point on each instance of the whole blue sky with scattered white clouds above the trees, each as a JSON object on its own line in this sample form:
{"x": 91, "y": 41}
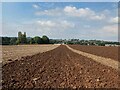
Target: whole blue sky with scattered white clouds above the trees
{"x": 61, "y": 20}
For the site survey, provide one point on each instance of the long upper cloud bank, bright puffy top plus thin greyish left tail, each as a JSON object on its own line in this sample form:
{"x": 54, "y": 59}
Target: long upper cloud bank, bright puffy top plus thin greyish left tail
{"x": 74, "y": 12}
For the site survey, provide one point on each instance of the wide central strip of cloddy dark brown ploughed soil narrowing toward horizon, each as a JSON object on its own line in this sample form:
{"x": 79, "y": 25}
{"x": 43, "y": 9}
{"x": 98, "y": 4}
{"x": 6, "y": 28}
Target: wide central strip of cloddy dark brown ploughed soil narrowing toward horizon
{"x": 58, "y": 68}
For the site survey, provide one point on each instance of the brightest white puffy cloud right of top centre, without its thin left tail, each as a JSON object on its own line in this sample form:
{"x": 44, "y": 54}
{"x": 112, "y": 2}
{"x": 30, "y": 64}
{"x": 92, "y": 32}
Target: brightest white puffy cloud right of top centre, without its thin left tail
{"x": 83, "y": 12}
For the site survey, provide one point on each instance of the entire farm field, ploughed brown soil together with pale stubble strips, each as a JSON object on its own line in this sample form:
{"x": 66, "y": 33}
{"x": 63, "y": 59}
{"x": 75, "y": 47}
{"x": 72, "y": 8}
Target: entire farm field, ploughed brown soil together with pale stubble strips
{"x": 61, "y": 66}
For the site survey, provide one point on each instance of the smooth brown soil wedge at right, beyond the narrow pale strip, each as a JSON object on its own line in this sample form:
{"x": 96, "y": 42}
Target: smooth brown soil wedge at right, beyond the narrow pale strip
{"x": 108, "y": 52}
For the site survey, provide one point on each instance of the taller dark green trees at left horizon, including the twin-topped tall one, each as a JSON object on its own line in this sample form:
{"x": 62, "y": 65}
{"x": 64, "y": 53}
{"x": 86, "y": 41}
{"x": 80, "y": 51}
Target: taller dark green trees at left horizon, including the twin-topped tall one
{"x": 22, "y": 39}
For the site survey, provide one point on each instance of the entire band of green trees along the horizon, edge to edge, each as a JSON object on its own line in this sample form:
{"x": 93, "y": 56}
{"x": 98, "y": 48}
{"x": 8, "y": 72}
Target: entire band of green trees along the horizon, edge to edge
{"x": 22, "y": 39}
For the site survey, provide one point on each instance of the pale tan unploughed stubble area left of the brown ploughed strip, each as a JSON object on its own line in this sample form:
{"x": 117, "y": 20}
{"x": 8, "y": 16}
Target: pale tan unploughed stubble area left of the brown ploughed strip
{"x": 14, "y": 52}
